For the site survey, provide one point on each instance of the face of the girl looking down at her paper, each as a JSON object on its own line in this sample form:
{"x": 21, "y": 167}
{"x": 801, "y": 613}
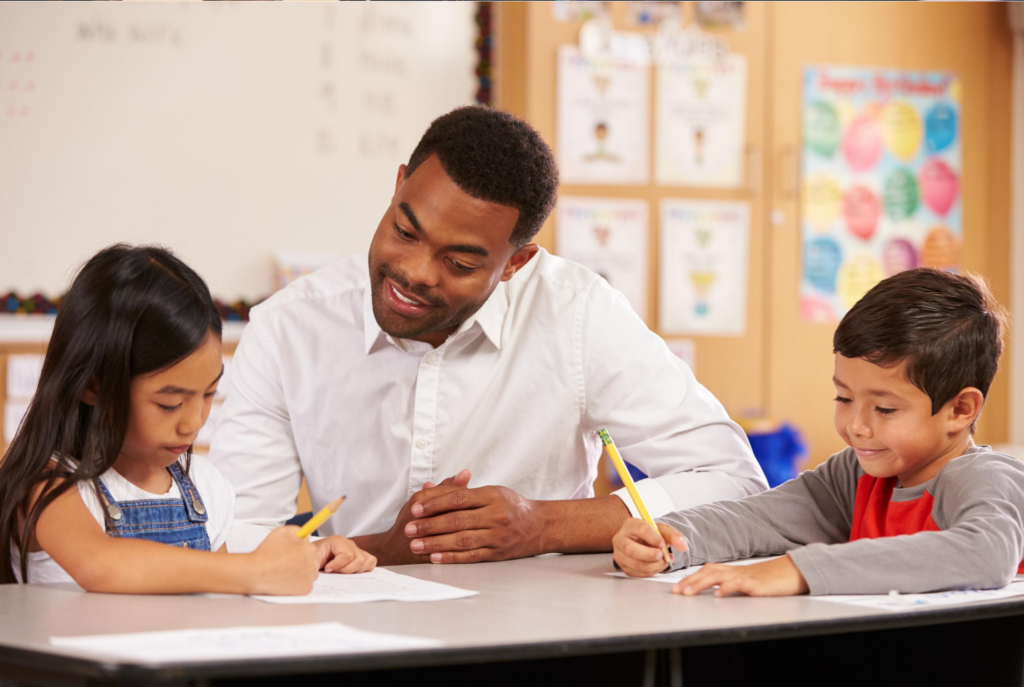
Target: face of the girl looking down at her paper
{"x": 168, "y": 408}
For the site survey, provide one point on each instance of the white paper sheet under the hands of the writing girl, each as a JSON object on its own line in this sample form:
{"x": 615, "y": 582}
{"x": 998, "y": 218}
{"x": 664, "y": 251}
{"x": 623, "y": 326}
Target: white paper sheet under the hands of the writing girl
{"x": 379, "y": 585}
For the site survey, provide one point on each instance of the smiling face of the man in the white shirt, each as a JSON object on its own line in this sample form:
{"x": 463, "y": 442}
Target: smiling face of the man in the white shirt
{"x": 438, "y": 255}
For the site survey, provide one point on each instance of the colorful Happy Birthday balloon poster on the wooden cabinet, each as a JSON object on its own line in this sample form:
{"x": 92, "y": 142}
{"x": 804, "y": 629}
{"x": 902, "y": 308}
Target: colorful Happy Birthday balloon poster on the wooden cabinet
{"x": 881, "y": 190}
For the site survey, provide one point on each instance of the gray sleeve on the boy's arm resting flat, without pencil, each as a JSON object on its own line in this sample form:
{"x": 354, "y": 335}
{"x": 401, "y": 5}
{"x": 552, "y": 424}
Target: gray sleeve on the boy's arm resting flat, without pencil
{"x": 979, "y": 501}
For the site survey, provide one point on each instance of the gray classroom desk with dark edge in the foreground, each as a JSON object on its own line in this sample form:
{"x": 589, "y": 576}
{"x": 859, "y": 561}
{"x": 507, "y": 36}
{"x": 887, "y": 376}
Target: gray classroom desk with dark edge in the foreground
{"x": 539, "y": 609}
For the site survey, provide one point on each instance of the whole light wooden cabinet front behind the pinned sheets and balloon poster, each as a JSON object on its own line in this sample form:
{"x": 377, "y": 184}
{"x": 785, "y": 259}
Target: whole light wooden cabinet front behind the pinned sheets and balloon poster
{"x": 784, "y": 366}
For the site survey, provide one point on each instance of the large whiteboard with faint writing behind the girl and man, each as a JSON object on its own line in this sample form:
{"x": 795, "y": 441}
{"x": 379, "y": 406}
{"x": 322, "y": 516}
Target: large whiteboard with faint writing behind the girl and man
{"x": 227, "y": 132}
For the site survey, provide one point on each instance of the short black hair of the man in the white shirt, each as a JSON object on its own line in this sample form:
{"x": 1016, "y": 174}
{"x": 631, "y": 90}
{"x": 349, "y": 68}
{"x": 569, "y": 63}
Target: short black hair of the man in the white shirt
{"x": 498, "y": 158}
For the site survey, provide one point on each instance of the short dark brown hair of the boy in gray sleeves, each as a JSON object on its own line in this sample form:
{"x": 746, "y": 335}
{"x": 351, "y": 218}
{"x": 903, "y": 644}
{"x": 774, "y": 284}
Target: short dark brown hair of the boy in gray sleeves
{"x": 948, "y": 328}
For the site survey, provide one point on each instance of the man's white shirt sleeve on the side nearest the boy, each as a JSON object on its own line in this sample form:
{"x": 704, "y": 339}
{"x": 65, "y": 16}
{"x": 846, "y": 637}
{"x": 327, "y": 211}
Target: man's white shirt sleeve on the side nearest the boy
{"x": 662, "y": 419}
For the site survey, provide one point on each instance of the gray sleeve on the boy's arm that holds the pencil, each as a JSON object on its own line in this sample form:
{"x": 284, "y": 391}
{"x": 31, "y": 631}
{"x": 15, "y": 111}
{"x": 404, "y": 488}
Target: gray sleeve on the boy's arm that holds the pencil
{"x": 817, "y": 507}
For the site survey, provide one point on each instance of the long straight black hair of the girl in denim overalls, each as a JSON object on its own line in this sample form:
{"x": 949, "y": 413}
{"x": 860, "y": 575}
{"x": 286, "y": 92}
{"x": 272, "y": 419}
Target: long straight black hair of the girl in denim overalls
{"x": 132, "y": 311}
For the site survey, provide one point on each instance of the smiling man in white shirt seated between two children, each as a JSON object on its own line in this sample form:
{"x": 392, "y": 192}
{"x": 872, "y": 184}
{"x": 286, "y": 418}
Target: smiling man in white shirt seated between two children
{"x": 464, "y": 346}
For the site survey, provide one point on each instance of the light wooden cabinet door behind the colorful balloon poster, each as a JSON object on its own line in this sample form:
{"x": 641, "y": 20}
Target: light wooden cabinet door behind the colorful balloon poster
{"x": 972, "y": 40}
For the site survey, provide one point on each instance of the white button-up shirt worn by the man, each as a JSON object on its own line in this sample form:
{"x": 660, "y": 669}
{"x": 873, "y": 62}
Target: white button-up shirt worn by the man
{"x": 517, "y": 396}
